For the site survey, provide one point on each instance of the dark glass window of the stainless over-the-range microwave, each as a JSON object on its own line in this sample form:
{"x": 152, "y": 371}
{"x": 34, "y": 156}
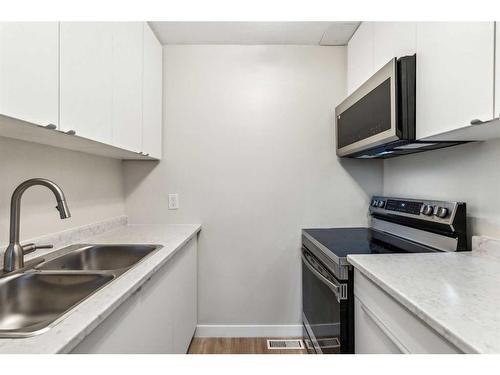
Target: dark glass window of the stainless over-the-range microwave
{"x": 367, "y": 117}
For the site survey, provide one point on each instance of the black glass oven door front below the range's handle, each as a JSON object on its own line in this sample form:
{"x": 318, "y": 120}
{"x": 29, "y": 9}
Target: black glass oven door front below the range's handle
{"x": 322, "y": 310}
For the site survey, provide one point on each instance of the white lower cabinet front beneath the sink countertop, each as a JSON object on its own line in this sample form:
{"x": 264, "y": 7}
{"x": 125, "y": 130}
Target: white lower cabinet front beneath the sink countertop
{"x": 160, "y": 317}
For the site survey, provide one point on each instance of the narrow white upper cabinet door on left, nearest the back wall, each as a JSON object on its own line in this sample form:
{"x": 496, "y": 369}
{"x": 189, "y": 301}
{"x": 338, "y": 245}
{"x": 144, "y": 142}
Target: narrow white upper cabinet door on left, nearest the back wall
{"x": 152, "y": 95}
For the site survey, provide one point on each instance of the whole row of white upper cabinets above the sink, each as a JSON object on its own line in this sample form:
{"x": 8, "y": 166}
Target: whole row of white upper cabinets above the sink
{"x": 102, "y": 80}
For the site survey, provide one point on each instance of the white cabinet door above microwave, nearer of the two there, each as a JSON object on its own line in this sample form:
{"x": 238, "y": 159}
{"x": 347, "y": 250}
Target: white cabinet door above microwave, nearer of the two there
{"x": 393, "y": 39}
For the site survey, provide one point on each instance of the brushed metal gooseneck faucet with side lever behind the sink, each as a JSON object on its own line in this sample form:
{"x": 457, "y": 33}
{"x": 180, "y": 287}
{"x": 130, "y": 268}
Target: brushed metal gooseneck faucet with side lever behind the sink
{"x": 14, "y": 255}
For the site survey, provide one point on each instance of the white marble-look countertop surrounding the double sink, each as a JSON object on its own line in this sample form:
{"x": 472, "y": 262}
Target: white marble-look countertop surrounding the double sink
{"x": 86, "y": 316}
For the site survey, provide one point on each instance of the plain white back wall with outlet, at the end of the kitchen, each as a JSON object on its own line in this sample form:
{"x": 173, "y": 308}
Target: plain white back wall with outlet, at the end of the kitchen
{"x": 249, "y": 147}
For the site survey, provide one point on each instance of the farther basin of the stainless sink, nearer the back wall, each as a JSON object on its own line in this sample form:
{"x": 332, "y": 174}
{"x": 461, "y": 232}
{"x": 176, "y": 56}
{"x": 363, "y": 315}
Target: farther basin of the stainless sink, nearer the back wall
{"x": 99, "y": 258}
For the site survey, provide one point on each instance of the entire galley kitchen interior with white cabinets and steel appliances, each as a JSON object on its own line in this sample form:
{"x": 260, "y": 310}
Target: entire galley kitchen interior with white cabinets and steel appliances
{"x": 324, "y": 187}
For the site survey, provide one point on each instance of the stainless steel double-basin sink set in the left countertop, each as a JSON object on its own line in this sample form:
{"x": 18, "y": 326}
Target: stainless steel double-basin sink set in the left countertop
{"x": 35, "y": 299}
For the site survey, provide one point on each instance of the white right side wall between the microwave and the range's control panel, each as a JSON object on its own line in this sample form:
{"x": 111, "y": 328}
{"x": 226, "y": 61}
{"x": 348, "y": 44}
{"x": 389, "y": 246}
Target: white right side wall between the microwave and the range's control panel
{"x": 467, "y": 173}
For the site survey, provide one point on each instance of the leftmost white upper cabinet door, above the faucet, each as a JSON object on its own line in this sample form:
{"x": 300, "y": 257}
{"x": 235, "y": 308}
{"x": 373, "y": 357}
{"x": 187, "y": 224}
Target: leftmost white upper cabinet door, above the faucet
{"x": 29, "y": 71}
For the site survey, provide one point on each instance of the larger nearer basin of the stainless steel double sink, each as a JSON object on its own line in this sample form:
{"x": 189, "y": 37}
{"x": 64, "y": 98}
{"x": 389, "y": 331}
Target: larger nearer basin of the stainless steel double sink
{"x": 30, "y": 302}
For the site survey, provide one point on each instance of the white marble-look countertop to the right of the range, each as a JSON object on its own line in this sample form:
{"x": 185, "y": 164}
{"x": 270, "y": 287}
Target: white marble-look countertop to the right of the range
{"x": 457, "y": 294}
